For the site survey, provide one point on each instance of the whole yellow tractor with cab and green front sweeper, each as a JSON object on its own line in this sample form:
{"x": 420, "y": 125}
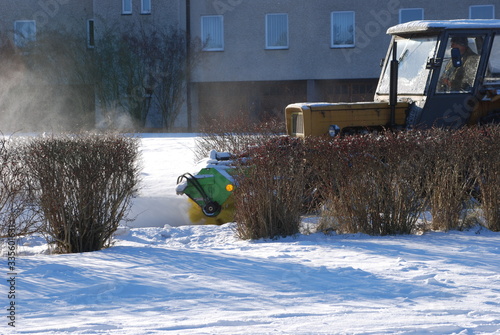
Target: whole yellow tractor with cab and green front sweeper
{"x": 435, "y": 74}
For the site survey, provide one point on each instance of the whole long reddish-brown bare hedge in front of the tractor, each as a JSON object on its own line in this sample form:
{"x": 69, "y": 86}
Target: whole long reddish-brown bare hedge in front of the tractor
{"x": 377, "y": 184}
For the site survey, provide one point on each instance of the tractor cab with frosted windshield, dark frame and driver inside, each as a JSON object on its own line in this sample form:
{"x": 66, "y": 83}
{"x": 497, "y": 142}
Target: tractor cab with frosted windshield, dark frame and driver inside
{"x": 448, "y": 71}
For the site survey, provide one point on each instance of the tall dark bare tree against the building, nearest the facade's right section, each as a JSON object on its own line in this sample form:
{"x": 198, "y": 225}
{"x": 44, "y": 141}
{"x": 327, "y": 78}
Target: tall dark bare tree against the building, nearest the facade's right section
{"x": 142, "y": 69}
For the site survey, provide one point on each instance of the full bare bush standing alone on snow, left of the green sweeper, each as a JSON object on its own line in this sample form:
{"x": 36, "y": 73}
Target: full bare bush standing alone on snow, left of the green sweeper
{"x": 84, "y": 185}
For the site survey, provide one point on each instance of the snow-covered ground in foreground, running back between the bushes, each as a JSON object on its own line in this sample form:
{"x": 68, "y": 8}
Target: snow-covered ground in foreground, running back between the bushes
{"x": 165, "y": 277}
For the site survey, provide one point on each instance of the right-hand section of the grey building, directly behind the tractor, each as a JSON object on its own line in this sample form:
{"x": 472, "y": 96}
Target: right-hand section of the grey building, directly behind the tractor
{"x": 262, "y": 55}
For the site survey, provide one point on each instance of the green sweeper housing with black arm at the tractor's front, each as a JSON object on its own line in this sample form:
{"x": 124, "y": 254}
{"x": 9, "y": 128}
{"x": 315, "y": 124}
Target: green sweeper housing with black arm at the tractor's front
{"x": 211, "y": 188}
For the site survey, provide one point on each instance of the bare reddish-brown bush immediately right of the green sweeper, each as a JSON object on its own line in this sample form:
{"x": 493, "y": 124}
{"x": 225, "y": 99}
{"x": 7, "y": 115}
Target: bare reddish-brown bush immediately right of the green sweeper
{"x": 269, "y": 196}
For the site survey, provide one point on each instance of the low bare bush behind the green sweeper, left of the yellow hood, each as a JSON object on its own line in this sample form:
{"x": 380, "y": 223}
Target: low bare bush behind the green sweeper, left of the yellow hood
{"x": 235, "y": 135}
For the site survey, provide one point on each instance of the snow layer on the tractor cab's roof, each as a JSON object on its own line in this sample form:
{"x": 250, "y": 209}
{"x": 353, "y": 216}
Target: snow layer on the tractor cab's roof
{"x": 436, "y": 25}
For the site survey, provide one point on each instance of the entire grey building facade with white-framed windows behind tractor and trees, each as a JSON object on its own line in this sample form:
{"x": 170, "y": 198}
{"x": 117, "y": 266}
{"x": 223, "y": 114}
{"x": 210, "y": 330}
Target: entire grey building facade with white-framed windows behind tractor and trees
{"x": 256, "y": 55}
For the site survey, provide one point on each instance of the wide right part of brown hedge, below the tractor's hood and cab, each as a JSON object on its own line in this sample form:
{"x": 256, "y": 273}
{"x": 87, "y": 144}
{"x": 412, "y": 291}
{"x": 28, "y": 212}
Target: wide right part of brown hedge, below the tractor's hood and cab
{"x": 388, "y": 180}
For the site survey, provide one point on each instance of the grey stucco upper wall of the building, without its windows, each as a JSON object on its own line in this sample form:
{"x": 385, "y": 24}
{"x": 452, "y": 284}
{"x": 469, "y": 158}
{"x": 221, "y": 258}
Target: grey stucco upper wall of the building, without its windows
{"x": 245, "y": 58}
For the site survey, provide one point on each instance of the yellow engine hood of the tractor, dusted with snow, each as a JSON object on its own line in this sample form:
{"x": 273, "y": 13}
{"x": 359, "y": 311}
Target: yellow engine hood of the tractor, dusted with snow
{"x": 314, "y": 119}
